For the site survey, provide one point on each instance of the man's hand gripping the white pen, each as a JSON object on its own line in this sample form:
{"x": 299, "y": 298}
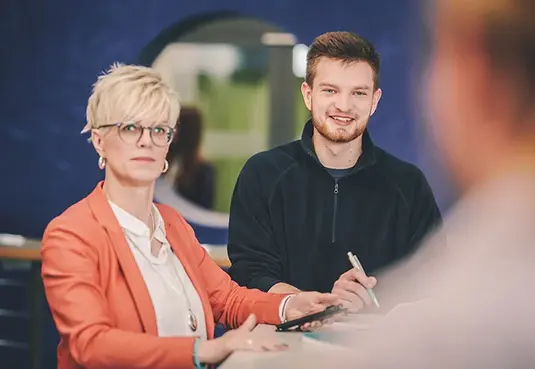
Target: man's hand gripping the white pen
{"x": 351, "y": 288}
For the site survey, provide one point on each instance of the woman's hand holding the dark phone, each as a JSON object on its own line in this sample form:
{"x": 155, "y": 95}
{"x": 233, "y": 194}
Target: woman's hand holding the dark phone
{"x": 306, "y": 303}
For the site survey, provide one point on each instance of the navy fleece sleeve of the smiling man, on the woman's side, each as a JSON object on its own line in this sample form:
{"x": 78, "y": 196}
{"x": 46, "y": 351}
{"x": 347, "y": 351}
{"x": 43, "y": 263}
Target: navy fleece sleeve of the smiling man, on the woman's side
{"x": 252, "y": 248}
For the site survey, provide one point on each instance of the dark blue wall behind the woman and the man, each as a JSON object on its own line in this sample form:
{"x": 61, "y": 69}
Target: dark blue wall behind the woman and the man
{"x": 53, "y": 50}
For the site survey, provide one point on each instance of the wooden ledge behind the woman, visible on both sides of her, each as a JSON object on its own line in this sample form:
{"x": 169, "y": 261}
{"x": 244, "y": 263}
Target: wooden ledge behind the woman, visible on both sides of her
{"x": 30, "y": 251}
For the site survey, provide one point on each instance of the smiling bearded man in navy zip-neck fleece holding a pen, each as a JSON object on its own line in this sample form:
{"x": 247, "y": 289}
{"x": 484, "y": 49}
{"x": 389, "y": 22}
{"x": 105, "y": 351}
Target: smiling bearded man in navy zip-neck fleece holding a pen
{"x": 299, "y": 208}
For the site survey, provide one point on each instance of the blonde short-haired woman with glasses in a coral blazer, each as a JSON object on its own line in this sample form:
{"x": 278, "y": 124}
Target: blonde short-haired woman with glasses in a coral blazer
{"x": 126, "y": 280}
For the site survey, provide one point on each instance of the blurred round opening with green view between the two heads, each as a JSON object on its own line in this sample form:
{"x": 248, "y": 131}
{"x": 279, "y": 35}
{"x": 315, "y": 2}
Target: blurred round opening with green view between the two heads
{"x": 240, "y": 73}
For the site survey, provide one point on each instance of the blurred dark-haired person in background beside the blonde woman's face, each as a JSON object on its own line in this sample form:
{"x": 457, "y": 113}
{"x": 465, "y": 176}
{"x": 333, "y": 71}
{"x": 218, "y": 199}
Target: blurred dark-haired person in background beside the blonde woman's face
{"x": 194, "y": 175}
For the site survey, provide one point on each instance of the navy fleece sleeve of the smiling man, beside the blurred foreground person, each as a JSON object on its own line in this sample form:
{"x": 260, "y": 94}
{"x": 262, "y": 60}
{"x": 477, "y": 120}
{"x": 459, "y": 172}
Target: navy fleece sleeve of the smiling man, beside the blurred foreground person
{"x": 425, "y": 214}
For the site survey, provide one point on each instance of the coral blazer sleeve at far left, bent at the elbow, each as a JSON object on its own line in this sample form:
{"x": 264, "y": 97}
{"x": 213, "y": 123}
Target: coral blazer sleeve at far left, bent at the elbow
{"x": 70, "y": 271}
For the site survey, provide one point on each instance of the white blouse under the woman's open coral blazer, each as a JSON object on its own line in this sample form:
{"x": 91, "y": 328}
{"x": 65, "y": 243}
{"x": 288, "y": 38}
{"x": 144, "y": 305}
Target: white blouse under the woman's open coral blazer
{"x": 165, "y": 277}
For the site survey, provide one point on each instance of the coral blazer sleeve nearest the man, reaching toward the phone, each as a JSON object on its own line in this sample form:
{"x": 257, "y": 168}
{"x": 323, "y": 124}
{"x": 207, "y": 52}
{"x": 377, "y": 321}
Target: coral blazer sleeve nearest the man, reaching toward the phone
{"x": 230, "y": 302}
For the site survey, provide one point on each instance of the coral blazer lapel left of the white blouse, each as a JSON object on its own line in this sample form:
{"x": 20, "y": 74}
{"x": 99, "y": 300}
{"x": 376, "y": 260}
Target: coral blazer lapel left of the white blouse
{"x": 134, "y": 279}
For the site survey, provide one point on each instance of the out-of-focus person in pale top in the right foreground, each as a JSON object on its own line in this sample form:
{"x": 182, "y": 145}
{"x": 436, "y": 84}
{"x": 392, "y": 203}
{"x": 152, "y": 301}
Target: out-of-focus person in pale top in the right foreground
{"x": 480, "y": 312}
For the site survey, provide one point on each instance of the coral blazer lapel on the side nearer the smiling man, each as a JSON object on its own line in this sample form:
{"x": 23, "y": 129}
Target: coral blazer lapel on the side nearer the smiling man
{"x": 178, "y": 243}
